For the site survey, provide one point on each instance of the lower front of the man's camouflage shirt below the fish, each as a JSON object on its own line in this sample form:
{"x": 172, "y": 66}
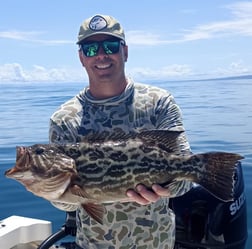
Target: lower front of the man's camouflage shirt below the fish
{"x": 127, "y": 226}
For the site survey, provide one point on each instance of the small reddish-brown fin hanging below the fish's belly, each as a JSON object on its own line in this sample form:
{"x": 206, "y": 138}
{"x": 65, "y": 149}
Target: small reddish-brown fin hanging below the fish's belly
{"x": 96, "y": 211}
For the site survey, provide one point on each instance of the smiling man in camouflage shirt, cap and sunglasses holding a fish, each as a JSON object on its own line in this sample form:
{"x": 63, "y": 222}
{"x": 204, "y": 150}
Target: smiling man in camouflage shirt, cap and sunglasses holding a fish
{"x": 113, "y": 102}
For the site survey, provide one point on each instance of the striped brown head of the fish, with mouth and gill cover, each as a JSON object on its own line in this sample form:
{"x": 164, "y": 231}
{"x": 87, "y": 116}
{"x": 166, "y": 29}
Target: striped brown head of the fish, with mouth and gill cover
{"x": 44, "y": 169}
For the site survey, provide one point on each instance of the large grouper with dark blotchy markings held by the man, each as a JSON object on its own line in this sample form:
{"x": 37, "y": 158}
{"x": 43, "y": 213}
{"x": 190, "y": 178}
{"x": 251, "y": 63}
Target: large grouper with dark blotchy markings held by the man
{"x": 99, "y": 170}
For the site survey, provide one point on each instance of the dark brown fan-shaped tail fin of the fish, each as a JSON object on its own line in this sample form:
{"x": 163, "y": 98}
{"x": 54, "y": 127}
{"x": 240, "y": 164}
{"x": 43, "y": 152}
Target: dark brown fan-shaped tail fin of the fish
{"x": 219, "y": 175}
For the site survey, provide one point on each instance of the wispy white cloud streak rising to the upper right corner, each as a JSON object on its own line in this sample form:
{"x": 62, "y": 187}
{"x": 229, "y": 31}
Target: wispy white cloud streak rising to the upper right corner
{"x": 240, "y": 24}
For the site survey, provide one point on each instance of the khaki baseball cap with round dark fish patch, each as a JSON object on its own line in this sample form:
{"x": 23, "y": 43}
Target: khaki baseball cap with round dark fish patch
{"x": 100, "y": 24}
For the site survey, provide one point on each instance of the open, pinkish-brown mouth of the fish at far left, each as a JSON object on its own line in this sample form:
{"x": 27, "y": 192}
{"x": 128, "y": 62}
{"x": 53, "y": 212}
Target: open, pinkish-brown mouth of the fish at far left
{"x": 22, "y": 160}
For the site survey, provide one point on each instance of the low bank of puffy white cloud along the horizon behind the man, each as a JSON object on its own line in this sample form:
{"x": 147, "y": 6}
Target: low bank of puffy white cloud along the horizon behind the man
{"x": 16, "y": 73}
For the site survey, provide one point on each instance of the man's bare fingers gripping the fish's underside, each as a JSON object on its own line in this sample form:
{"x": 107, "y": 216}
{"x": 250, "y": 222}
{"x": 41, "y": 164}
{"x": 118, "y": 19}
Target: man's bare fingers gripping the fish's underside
{"x": 144, "y": 196}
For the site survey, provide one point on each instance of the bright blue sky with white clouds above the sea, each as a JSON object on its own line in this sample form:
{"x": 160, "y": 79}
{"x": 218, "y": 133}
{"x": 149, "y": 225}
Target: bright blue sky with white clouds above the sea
{"x": 168, "y": 40}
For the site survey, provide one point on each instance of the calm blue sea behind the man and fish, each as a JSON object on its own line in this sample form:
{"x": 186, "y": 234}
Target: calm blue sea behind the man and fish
{"x": 217, "y": 116}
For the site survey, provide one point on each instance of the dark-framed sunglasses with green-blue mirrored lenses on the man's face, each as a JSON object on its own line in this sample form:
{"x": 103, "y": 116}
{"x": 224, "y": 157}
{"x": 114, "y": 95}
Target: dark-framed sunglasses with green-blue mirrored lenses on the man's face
{"x": 91, "y": 48}
